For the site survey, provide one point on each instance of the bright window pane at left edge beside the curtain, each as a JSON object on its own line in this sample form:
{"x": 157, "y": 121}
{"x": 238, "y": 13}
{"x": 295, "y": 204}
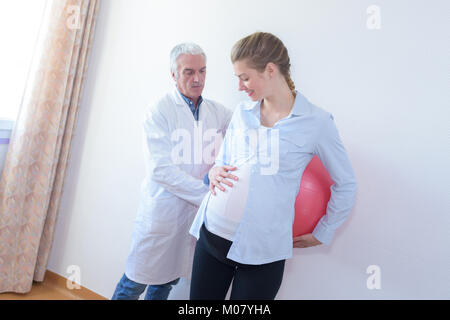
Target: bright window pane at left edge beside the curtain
{"x": 20, "y": 21}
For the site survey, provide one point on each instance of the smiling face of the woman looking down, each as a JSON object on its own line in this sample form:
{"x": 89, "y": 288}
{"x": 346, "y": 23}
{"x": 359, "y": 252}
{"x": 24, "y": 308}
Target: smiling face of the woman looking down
{"x": 251, "y": 81}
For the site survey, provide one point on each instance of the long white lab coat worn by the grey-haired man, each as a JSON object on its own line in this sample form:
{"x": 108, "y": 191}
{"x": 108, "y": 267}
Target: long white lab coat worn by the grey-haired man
{"x": 162, "y": 248}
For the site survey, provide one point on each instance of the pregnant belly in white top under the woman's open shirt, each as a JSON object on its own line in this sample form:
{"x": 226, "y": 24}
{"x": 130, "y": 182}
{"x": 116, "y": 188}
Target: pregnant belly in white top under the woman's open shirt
{"x": 231, "y": 204}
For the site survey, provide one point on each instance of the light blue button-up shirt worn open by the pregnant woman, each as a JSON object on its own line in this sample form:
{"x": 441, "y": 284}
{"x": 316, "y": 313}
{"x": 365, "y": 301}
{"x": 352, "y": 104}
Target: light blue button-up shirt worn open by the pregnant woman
{"x": 264, "y": 234}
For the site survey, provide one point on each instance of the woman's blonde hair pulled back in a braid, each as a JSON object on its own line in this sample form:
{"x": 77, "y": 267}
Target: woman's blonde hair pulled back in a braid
{"x": 260, "y": 48}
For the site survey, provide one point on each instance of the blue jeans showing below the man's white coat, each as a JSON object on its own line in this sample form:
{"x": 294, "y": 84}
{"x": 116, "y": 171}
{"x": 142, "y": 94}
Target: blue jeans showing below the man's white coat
{"x": 129, "y": 290}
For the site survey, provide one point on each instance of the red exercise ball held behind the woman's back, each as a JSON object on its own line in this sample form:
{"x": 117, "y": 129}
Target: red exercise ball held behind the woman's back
{"x": 312, "y": 199}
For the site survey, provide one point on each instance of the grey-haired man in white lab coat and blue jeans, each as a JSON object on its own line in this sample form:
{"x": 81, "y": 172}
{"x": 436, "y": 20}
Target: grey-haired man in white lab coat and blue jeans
{"x": 181, "y": 121}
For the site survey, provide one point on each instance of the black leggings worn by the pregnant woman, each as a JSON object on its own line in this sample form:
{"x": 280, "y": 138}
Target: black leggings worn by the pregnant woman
{"x": 212, "y": 273}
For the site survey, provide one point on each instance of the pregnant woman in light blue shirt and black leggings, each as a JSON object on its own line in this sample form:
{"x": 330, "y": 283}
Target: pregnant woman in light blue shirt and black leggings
{"x": 244, "y": 224}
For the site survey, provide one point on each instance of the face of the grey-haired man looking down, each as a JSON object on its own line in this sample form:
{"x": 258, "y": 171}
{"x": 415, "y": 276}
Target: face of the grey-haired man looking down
{"x": 192, "y": 73}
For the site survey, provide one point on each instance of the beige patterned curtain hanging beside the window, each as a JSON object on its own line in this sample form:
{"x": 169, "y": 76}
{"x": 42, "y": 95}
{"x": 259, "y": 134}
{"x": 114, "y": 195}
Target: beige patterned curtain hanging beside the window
{"x": 33, "y": 176}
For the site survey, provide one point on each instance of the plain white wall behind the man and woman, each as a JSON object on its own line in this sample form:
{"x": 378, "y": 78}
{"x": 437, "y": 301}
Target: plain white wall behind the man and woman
{"x": 387, "y": 89}
